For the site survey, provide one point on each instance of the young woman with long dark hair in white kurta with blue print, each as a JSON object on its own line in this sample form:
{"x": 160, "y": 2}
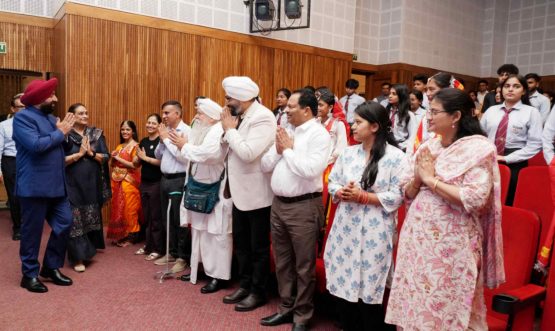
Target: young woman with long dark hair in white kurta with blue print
{"x": 358, "y": 255}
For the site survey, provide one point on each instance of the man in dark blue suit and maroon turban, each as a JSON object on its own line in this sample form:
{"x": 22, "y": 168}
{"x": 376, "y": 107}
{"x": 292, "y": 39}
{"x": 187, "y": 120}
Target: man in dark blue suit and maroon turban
{"x": 40, "y": 184}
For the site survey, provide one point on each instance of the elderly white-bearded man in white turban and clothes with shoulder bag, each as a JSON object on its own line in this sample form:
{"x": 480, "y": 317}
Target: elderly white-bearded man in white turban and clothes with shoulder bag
{"x": 212, "y": 243}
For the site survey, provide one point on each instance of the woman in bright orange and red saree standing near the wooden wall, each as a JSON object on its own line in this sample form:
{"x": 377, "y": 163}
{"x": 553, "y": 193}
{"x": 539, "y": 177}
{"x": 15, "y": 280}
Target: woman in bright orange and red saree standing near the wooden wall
{"x": 126, "y": 198}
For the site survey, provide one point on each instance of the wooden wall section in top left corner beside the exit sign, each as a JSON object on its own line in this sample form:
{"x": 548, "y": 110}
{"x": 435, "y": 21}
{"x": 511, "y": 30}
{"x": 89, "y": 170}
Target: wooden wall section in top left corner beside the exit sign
{"x": 29, "y": 47}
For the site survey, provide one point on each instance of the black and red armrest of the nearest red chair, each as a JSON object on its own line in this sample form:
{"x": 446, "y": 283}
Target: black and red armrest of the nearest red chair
{"x": 517, "y": 299}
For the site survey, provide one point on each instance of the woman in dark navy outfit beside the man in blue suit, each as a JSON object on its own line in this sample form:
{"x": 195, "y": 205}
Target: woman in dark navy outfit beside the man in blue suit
{"x": 88, "y": 187}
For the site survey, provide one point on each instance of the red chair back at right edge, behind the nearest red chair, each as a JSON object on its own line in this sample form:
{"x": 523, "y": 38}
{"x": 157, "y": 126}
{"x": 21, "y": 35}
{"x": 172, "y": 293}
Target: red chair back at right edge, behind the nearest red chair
{"x": 533, "y": 192}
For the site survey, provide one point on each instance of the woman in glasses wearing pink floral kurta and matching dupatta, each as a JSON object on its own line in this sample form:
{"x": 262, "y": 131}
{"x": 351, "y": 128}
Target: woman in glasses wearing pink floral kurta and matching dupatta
{"x": 450, "y": 244}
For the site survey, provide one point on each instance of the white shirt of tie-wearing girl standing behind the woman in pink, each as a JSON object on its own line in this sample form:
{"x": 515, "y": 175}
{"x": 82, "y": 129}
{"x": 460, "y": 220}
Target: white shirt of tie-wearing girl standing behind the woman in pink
{"x": 524, "y": 130}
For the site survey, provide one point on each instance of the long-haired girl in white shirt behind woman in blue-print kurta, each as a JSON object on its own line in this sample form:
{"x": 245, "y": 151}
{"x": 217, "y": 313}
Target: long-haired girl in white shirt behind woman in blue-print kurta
{"x": 402, "y": 119}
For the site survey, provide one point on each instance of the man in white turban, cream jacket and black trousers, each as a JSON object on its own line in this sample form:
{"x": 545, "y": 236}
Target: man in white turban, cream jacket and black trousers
{"x": 249, "y": 133}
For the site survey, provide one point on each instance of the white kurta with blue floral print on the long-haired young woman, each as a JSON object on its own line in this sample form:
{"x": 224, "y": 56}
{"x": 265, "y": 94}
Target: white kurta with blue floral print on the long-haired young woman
{"x": 358, "y": 254}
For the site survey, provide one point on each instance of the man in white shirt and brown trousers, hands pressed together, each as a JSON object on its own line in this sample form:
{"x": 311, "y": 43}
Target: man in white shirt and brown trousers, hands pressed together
{"x": 297, "y": 214}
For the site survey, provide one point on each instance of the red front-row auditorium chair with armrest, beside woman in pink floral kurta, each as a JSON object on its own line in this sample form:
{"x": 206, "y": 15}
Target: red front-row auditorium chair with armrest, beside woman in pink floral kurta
{"x": 512, "y": 305}
